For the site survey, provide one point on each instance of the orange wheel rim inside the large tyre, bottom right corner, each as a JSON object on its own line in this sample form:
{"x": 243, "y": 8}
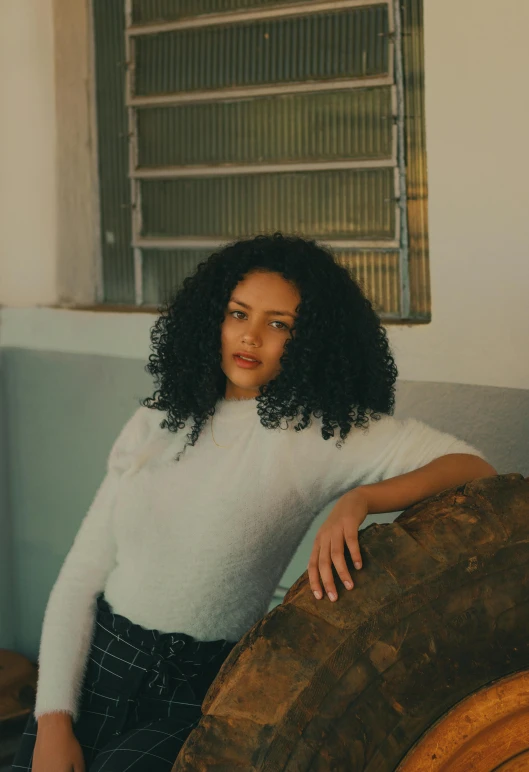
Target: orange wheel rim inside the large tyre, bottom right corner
{"x": 486, "y": 732}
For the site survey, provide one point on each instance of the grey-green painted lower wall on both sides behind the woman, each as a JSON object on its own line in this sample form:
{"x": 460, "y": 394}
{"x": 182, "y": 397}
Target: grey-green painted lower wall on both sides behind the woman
{"x": 64, "y": 412}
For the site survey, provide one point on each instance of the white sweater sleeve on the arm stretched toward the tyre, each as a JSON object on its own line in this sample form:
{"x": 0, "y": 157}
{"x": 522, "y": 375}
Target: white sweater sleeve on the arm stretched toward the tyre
{"x": 387, "y": 448}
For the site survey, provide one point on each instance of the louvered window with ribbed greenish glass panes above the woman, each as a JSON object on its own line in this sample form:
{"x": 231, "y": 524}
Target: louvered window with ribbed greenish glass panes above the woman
{"x": 219, "y": 119}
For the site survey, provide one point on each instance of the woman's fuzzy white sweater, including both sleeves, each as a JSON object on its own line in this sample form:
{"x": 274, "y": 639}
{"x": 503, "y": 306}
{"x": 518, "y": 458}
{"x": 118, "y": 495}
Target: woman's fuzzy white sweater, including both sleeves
{"x": 199, "y": 546}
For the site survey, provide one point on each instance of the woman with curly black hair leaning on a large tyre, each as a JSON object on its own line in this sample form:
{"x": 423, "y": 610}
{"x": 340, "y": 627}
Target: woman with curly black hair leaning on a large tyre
{"x": 262, "y": 354}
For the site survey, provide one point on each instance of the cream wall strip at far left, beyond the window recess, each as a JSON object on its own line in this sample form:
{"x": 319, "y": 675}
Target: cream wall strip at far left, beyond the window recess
{"x": 28, "y": 254}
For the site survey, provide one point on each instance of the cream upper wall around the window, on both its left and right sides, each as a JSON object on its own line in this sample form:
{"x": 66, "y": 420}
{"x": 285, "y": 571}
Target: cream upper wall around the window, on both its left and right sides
{"x": 477, "y": 59}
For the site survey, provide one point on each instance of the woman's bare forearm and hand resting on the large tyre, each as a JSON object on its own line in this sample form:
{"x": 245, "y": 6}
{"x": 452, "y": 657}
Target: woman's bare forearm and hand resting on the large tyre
{"x": 391, "y": 495}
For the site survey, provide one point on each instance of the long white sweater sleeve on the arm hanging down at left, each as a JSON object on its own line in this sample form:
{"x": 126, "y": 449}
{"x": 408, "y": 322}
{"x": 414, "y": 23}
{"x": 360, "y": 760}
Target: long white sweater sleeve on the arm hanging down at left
{"x": 69, "y": 617}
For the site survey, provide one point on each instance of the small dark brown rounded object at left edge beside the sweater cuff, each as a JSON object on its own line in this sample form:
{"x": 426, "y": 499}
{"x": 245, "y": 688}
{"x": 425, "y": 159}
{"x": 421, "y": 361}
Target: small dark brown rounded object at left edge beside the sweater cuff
{"x": 18, "y": 681}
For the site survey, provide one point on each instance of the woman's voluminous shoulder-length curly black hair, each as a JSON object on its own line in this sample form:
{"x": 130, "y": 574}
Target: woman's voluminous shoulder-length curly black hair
{"x": 337, "y": 365}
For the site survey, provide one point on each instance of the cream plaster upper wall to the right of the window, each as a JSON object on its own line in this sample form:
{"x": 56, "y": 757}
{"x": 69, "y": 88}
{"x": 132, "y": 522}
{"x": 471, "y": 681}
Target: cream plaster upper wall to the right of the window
{"x": 477, "y": 119}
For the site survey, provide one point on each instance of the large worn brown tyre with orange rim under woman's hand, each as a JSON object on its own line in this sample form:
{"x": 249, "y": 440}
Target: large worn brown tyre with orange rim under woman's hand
{"x": 435, "y": 632}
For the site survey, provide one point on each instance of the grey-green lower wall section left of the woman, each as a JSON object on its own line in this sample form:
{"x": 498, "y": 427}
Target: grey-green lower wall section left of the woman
{"x": 64, "y": 414}
